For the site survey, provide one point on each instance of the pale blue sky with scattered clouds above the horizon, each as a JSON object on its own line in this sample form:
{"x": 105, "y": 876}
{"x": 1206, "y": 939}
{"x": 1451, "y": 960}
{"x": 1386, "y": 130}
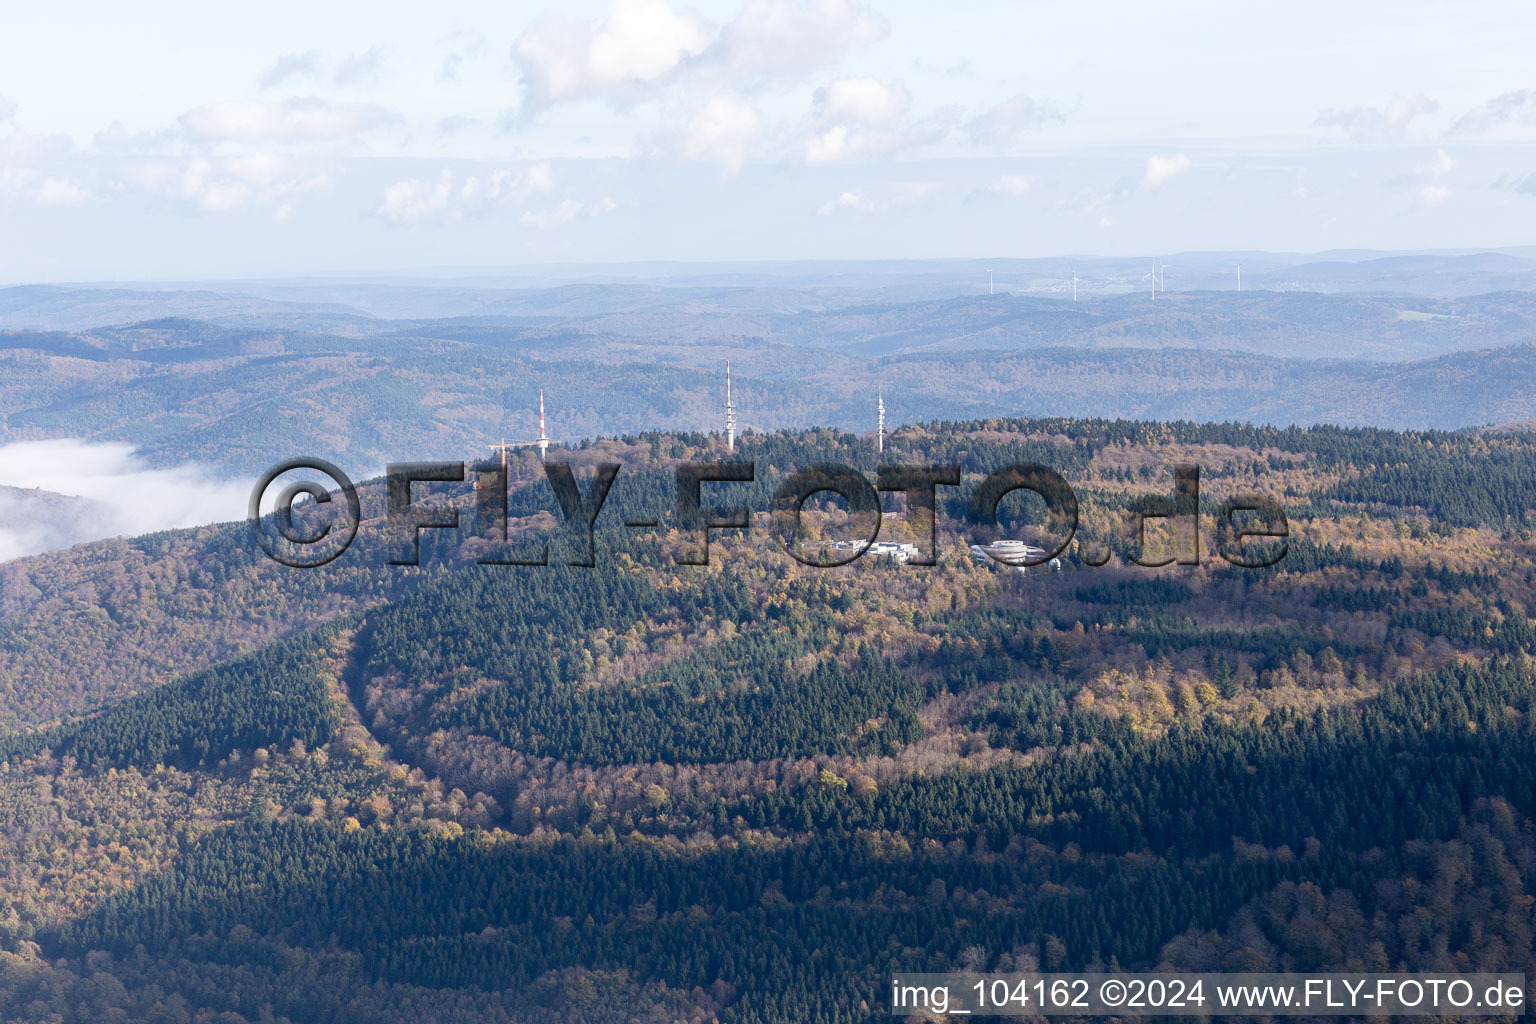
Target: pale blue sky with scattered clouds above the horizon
{"x": 194, "y": 140}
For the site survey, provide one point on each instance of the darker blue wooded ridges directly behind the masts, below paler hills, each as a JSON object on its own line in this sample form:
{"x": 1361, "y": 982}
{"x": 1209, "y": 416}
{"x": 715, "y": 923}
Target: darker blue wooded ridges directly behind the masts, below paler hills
{"x": 240, "y": 400}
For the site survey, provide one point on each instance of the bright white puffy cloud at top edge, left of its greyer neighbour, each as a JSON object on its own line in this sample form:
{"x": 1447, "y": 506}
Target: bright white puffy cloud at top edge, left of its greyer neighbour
{"x": 637, "y": 44}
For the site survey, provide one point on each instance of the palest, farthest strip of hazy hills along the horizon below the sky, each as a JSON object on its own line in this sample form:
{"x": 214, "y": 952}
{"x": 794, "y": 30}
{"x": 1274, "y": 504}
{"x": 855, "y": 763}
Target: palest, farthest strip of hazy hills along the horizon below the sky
{"x": 1359, "y": 291}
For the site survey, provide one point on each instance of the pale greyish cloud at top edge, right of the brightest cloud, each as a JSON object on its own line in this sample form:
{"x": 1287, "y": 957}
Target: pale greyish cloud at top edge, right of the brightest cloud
{"x": 780, "y": 39}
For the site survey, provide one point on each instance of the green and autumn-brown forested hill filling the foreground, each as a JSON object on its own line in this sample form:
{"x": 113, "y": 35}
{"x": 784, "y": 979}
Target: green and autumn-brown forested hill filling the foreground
{"x": 749, "y": 791}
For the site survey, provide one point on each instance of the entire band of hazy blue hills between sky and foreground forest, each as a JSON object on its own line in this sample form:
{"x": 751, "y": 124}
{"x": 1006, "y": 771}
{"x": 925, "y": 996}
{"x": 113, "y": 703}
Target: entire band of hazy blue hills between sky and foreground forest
{"x": 371, "y": 372}
